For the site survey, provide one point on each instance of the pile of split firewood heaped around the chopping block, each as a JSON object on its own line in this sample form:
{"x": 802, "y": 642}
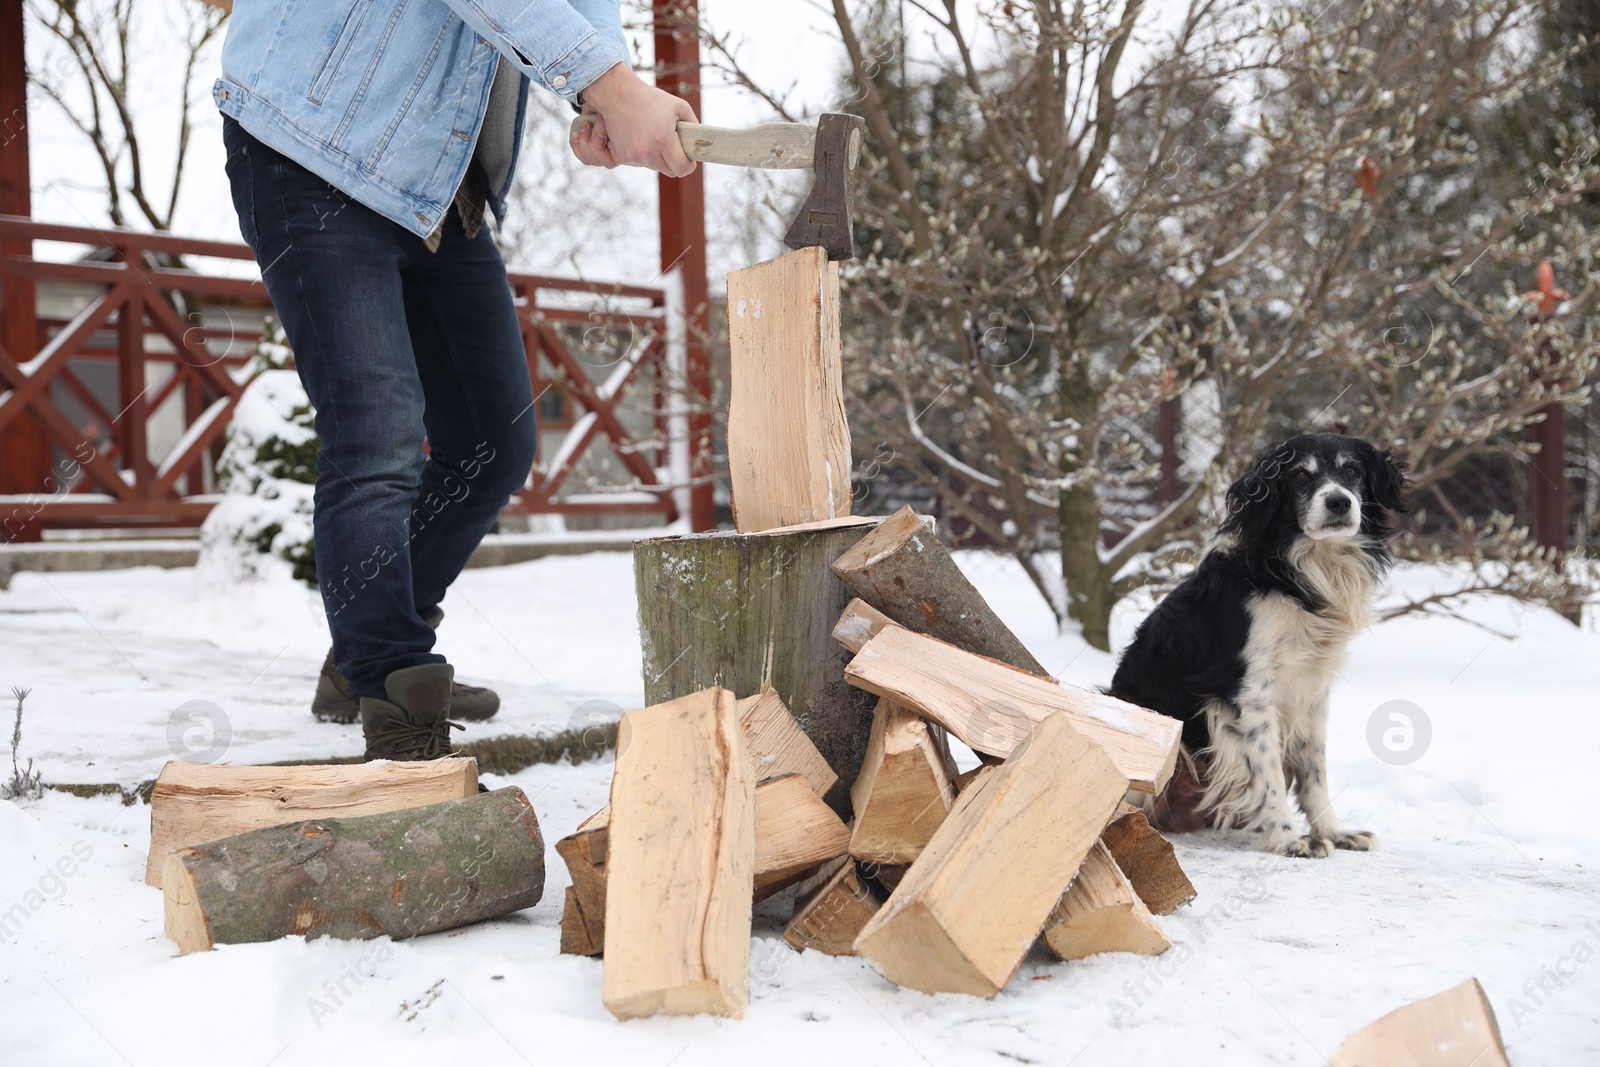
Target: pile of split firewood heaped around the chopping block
{"x": 943, "y": 881}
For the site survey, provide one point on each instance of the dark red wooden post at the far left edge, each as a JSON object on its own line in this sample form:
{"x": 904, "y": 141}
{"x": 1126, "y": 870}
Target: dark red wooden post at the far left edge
{"x": 25, "y": 450}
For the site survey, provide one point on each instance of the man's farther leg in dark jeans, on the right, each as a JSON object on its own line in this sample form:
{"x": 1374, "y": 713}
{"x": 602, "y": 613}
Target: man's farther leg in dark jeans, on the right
{"x": 479, "y": 415}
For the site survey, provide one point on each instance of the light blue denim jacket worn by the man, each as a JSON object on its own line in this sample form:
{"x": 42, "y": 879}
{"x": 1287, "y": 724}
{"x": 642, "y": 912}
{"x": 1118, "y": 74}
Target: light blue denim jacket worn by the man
{"x": 386, "y": 102}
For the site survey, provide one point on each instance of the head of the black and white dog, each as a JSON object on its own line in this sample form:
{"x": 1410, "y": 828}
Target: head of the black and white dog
{"x": 1319, "y": 486}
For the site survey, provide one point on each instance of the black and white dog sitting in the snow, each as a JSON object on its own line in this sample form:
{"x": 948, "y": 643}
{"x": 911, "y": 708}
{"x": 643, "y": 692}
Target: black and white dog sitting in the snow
{"x": 1246, "y": 650}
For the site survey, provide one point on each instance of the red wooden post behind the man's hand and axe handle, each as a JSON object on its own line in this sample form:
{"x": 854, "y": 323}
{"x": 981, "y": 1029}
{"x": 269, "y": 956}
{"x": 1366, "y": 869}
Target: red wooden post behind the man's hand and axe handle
{"x": 684, "y": 244}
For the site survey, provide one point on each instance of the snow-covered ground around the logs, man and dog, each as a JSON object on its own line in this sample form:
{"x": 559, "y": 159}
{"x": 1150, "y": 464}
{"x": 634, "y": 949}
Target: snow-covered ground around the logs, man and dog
{"x": 1489, "y": 863}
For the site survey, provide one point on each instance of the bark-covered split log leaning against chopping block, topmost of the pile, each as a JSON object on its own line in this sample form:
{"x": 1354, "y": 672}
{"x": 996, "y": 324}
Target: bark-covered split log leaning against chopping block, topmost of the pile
{"x": 903, "y": 570}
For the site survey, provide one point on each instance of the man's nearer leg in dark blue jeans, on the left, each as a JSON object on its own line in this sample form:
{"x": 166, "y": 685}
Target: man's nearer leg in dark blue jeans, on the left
{"x": 334, "y": 270}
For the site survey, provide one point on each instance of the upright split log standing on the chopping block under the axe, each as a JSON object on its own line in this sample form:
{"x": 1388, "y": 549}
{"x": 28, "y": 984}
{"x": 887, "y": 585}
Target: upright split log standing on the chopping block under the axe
{"x": 788, "y": 438}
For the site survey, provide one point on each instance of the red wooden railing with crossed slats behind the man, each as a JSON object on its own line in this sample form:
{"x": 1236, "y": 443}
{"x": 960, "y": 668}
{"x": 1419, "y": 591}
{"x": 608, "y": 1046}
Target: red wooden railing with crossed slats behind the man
{"x": 103, "y": 474}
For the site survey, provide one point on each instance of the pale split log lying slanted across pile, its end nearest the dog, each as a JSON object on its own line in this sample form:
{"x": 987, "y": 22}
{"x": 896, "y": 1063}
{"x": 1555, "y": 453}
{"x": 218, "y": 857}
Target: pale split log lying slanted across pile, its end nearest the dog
{"x": 996, "y": 708}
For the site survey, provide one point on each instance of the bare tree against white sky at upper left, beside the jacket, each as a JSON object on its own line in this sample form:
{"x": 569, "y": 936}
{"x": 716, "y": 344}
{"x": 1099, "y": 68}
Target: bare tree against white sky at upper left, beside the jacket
{"x": 94, "y": 82}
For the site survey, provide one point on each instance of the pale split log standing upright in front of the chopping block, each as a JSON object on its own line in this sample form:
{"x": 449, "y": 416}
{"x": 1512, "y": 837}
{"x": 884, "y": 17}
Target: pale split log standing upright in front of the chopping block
{"x": 681, "y": 849}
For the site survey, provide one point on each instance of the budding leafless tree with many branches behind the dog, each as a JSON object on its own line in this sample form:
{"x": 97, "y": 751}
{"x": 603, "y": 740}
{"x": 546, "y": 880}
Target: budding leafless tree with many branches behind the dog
{"x": 1076, "y": 218}
